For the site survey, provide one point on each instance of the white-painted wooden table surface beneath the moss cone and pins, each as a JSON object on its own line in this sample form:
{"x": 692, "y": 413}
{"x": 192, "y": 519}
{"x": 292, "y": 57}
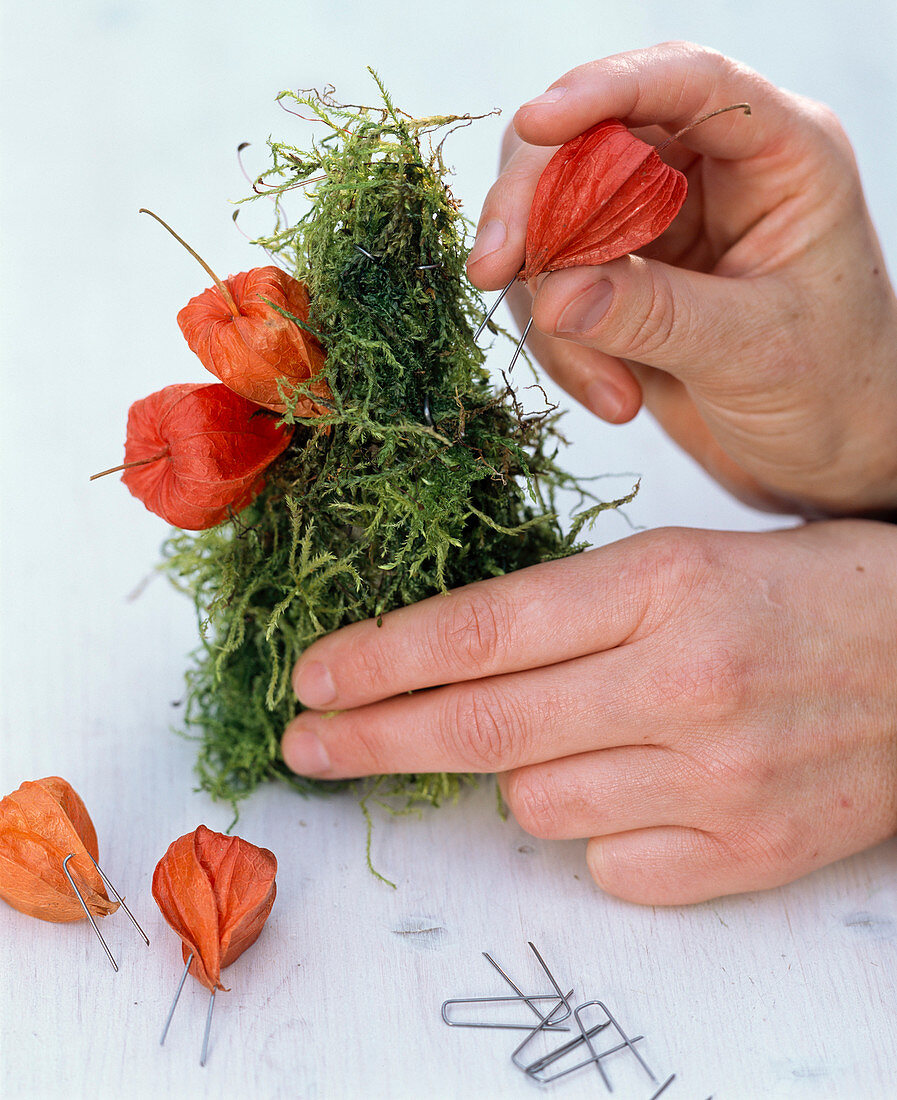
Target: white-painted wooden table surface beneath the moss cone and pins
{"x": 111, "y": 106}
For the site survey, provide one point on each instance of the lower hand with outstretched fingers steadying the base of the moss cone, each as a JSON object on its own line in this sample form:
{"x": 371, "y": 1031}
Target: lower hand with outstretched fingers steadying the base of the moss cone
{"x": 717, "y": 712}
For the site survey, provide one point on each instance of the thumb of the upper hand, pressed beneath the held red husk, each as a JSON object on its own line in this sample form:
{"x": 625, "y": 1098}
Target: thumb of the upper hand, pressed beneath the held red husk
{"x": 697, "y": 327}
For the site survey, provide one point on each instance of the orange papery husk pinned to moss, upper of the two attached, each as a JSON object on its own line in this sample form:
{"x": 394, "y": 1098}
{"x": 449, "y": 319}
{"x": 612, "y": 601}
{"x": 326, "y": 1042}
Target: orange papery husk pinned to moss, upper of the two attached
{"x": 257, "y": 351}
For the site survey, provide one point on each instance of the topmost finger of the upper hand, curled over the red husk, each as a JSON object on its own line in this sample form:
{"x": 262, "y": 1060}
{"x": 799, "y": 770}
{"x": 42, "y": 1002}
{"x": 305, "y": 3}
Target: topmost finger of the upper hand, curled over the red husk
{"x": 673, "y": 85}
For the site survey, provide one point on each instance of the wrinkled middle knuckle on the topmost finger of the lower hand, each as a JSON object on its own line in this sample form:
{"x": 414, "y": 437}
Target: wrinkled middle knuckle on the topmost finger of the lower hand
{"x": 472, "y": 632}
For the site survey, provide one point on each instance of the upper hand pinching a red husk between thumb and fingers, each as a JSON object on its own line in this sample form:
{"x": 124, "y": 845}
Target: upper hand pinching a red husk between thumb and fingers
{"x": 761, "y": 329}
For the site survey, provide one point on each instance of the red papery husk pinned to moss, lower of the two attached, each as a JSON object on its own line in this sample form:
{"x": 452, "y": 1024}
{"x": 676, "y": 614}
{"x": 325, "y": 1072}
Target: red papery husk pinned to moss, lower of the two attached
{"x": 198, "y": 453}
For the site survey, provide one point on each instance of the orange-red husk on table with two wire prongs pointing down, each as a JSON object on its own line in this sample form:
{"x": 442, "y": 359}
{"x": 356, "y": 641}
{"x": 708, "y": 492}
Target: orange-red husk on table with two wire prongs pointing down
{"x": 216, "y": 892}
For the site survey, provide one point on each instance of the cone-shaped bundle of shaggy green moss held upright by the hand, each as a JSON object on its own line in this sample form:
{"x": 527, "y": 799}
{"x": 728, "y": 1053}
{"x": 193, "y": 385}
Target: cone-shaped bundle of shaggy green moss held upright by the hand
{"x": 423, "y": 477}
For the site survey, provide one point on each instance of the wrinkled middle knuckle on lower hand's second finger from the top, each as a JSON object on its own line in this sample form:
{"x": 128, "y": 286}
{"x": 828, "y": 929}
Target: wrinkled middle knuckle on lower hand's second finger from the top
{"x": 480, "y": 730}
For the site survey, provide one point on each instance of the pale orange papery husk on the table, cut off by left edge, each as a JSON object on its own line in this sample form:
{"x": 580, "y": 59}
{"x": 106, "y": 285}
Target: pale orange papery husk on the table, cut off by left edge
{"x": 41, "y": 824}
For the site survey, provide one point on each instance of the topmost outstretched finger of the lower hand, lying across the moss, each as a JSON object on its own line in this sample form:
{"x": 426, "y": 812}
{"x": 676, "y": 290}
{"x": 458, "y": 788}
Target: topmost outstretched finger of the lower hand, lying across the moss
{"x": 537, "y": 617}
